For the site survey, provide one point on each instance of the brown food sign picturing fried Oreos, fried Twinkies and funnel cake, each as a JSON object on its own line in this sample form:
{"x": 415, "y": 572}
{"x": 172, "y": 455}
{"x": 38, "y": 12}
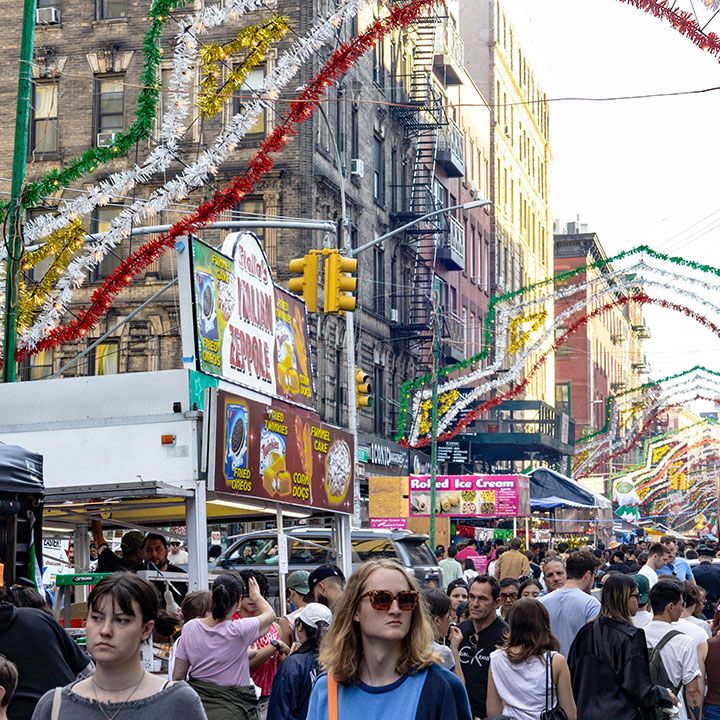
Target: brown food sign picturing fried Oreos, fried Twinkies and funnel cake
{"x": 279, "y": 452}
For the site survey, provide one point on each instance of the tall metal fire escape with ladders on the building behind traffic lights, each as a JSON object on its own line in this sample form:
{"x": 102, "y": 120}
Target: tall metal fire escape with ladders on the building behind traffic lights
{"x": 418, "y": 103}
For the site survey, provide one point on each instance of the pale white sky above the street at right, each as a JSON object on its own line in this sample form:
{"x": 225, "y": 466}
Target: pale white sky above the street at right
{"x": 641, "y": 171}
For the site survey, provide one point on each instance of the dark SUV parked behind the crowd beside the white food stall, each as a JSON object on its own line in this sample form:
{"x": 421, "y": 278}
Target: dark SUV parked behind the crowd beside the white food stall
{"x": 310, "y": 547}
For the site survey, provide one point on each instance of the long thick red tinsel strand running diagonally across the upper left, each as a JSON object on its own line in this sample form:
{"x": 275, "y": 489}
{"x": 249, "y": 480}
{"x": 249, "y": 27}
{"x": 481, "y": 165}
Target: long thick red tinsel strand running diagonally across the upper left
{"x": 301, "y": 110}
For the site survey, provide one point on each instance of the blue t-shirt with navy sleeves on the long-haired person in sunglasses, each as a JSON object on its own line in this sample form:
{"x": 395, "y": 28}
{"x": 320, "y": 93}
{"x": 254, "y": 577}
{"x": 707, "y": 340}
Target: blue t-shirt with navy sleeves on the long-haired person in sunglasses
{"x": 430, "y": 694}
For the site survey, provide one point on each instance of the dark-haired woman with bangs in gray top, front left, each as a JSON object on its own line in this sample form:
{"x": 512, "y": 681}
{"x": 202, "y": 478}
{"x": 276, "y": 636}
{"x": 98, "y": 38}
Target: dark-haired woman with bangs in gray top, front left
{"x": 122, "y": 612}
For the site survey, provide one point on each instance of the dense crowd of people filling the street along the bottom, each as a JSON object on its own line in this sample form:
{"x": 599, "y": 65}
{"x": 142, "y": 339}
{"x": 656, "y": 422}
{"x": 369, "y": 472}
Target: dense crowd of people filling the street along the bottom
{"x": 627, "y": 632}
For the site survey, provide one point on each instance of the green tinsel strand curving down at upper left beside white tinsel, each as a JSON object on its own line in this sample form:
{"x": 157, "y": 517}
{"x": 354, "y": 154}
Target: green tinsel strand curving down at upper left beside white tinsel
{"x": 144, "y": 116}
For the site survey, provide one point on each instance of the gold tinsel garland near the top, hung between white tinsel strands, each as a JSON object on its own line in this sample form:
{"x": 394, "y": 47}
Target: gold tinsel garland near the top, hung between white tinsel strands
{"x": 258, "y": 38}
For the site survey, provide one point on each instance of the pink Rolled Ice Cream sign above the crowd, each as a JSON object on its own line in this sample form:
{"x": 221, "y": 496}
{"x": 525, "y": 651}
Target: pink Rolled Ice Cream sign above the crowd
{"x": 471, "y": 495}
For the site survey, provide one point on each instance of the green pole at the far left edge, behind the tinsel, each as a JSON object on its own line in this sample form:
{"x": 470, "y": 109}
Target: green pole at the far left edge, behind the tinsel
{"x": 14, "y": 239}
